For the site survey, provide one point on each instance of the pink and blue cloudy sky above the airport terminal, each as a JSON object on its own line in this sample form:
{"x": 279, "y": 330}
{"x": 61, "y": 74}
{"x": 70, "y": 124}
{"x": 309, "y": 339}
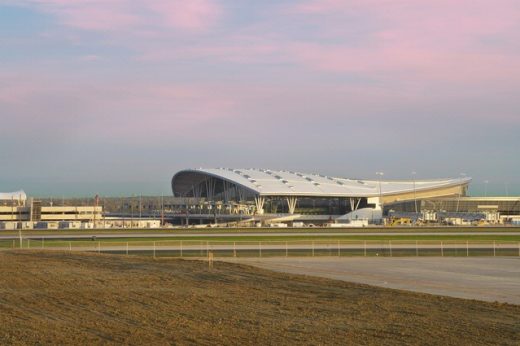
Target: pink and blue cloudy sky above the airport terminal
{"x": 112, "y": 97}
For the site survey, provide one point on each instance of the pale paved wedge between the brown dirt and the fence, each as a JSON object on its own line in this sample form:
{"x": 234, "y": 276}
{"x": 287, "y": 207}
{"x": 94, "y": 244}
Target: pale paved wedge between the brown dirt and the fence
{"x": 488, "y": 279}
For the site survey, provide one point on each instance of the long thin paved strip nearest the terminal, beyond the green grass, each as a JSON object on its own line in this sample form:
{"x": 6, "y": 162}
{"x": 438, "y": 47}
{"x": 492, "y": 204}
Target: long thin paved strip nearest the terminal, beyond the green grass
{"x": 152, "y": 234}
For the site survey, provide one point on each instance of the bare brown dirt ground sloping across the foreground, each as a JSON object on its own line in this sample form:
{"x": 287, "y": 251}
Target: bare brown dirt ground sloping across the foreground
{"x": 64, "y": 298}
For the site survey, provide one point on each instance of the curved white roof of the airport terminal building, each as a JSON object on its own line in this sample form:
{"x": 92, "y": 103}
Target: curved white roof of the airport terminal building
{"x": 288, "y": 183}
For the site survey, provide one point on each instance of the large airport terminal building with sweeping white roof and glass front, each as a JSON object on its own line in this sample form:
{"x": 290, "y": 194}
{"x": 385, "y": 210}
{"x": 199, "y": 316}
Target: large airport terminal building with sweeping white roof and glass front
{"x": 264, "y": 191}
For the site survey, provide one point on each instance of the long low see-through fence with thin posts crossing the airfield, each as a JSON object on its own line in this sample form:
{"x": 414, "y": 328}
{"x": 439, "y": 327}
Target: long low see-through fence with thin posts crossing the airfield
{"x": 302, "y": 248}
